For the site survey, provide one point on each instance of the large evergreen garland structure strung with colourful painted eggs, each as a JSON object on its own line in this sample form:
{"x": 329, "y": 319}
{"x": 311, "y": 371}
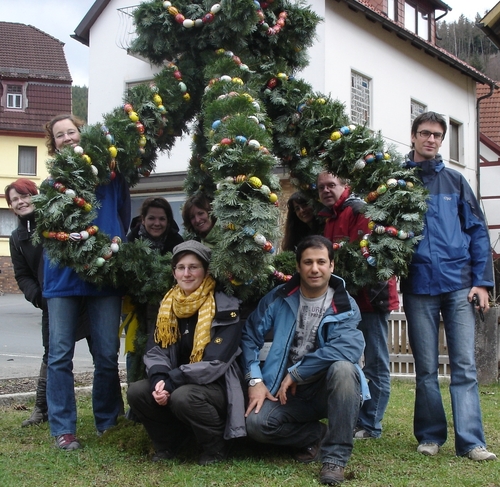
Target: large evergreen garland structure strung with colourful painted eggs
{"x": 231, "y": 68}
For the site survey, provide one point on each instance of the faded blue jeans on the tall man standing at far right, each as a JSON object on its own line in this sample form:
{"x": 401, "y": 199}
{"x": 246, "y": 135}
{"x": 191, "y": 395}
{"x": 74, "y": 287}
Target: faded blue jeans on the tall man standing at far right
{"x": 422, "y": 314}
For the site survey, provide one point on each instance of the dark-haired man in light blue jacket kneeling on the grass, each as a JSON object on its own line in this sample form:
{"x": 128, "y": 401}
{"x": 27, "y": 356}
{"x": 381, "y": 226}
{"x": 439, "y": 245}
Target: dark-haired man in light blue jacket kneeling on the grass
{"x": 311, "y": 370}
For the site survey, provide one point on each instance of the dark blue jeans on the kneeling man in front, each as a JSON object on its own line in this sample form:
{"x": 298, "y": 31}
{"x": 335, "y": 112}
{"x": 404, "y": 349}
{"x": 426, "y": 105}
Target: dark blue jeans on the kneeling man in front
{"x": 336, "y": 396}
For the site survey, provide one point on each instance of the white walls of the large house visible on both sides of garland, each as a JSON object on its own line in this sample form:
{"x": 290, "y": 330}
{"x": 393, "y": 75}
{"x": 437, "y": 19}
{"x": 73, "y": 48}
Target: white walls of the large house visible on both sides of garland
{"x": 346, "y": 40}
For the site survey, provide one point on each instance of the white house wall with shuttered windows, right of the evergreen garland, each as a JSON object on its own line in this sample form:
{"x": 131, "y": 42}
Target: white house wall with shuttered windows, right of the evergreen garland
{"x": 399, "y": 73}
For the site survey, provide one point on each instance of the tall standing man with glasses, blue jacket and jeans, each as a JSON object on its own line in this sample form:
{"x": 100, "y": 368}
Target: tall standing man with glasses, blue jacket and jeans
{"x": 451, "y": 265}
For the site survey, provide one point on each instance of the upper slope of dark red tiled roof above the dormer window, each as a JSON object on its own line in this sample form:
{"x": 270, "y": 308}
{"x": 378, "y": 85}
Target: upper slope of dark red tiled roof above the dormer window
{"x": 27, "y": 52}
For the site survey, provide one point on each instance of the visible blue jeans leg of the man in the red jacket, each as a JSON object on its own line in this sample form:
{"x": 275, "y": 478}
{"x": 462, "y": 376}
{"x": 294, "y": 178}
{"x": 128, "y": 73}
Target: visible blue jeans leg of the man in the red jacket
{"x": 377, "y": 371}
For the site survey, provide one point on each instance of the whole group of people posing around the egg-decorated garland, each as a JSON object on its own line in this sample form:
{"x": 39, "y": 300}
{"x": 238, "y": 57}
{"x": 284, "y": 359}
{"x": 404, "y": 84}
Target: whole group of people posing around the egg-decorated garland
{"x": 206, "y": 380}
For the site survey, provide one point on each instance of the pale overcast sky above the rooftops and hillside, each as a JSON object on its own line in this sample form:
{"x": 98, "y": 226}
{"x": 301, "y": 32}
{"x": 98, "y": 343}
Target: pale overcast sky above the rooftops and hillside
{"x": 59, "y": 18}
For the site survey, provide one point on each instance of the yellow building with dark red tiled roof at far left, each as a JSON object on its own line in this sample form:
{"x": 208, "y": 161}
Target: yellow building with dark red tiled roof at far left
{"x": 35, "y": 85}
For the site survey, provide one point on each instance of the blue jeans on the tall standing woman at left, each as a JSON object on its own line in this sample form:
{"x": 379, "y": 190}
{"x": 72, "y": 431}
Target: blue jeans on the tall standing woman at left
{"x": 104, "y": 317}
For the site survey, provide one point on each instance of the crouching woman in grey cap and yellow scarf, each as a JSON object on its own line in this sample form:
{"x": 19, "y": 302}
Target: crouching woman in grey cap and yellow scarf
{"x": 194, "y": 384}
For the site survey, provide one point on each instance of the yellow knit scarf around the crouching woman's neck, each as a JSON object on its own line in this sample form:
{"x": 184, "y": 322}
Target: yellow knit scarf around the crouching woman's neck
{"x": 176, "y": 304}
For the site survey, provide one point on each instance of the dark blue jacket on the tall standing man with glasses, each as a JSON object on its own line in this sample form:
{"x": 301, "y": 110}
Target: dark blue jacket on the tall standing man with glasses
{"x": 455, "y": 251}
